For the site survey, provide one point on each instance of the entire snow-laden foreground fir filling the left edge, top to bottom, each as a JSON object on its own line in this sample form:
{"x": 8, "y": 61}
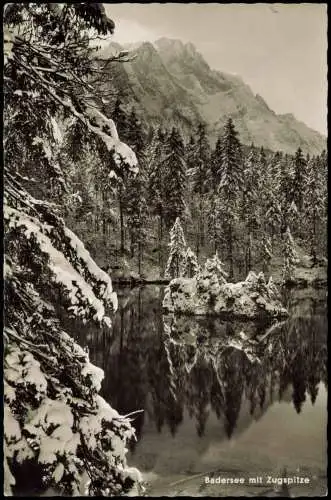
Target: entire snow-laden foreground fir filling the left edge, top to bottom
{"x": 58, "y": 431}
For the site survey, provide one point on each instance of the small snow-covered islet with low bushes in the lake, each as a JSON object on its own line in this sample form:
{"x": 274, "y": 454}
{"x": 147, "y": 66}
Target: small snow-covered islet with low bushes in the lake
{"x": 252, "y": 298}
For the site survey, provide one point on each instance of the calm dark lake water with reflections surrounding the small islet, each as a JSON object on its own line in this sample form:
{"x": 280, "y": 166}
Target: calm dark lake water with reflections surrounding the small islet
{"x": 217, "y": 408}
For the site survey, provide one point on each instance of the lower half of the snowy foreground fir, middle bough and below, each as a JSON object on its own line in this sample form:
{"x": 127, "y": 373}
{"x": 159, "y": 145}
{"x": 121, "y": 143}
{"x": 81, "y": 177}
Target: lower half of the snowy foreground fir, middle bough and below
{"x": 55, "y": 420}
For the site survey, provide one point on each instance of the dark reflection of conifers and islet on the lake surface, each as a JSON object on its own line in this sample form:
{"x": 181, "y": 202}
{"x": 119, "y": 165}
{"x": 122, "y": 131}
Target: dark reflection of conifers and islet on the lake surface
{"x": 171, "y": 367}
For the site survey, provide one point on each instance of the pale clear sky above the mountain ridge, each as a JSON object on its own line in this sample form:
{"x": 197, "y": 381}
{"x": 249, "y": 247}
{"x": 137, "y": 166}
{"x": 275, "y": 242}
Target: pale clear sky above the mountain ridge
{"x": 280, "y": 50}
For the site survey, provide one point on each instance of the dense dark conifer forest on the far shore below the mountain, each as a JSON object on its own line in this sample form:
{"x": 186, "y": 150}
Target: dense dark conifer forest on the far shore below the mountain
{"x": 231, "y": 198}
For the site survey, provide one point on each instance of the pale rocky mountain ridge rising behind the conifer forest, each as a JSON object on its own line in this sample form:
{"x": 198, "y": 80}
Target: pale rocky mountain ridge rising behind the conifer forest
{"x": 170, "y": 84}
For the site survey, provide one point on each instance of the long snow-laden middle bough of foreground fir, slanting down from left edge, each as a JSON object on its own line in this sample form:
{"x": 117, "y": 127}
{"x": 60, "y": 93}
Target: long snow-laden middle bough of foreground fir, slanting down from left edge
{"x": 70, "y": 263}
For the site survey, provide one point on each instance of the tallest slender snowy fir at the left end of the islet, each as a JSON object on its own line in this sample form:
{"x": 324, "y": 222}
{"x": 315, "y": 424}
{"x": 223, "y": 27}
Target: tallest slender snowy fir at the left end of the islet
{"x": 176, "y": 260}
